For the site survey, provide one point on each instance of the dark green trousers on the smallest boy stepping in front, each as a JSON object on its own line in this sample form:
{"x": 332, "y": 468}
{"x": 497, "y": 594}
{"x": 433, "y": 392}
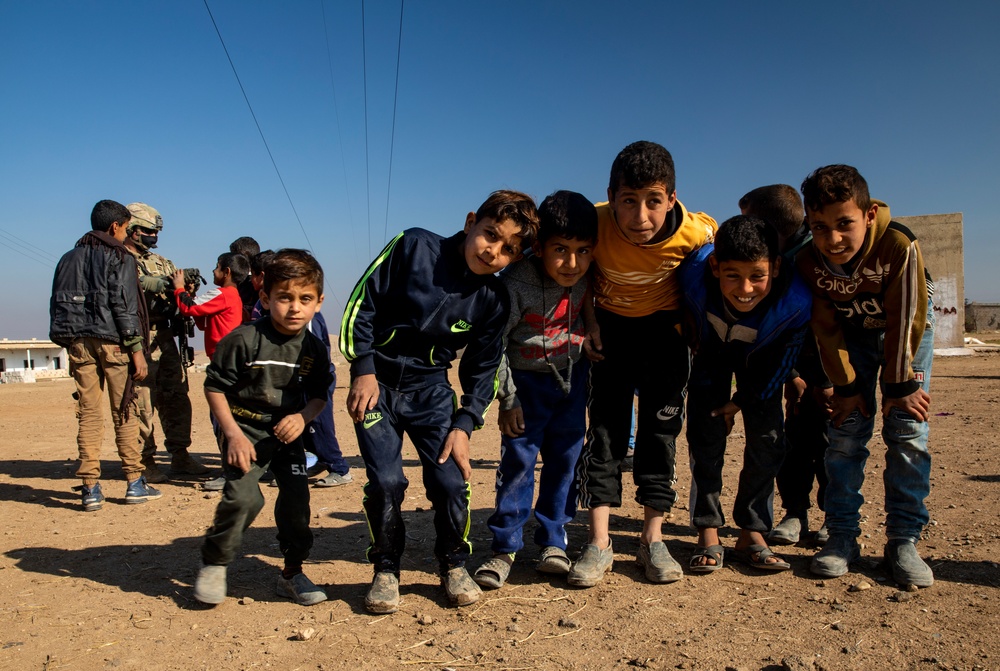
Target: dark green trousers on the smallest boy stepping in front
{"x": 242, "y": 500}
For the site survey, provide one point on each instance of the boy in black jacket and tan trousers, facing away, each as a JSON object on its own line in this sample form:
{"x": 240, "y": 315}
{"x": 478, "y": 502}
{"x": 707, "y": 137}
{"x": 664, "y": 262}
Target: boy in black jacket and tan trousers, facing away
{"x": 97, "y": 313}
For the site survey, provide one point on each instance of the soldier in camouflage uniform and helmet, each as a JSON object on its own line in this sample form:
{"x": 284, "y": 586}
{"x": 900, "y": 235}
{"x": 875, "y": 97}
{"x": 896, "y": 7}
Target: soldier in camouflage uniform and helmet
{"x": 166, "y": 386}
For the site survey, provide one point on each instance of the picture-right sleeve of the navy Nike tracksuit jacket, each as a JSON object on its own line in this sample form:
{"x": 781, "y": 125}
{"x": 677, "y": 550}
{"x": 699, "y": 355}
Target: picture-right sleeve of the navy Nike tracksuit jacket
{"x": 477, "y": 370}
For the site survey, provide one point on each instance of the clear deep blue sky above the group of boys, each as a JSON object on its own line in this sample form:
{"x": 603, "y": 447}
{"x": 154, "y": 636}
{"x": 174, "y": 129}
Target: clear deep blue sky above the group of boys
{"x": 135, "y": 100}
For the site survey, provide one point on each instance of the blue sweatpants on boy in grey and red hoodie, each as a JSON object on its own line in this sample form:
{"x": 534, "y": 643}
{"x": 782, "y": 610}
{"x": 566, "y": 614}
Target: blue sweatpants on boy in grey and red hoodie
{"x": 555, "y": 425}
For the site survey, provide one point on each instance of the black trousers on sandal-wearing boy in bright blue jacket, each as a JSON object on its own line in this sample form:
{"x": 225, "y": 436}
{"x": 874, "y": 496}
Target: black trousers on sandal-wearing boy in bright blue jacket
{"x": 711, "y": 388}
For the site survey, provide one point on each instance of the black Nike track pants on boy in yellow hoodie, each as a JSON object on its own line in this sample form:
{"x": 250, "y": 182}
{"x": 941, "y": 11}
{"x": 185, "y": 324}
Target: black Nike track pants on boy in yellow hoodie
{"x": 648, "y": 355}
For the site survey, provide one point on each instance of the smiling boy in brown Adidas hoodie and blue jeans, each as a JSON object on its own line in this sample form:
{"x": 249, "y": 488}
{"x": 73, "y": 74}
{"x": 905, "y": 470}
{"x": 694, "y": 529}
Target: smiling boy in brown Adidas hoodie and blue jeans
{"x": 874, "y": 327}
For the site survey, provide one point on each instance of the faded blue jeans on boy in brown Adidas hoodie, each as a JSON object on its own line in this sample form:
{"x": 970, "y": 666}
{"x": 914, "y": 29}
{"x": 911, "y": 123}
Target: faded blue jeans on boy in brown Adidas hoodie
{"x": 908, "y": 462}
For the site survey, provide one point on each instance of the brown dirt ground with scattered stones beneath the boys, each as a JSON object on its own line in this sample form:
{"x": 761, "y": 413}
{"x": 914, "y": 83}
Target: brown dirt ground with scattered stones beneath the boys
{"x": 113, "y": 589}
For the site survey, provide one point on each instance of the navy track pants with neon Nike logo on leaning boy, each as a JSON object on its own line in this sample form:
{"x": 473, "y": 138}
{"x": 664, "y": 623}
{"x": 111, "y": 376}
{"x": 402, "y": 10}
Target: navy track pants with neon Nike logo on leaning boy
{"x": 425, "y": 415}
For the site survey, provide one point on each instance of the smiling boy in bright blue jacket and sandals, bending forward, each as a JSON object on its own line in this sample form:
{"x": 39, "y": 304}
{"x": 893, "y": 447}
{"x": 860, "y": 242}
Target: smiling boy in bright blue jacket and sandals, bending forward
{"x": 751, "y": 319}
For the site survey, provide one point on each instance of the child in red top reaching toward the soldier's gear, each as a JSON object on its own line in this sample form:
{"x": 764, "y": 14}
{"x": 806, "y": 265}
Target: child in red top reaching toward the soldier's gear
{"x": 219, "y": 311}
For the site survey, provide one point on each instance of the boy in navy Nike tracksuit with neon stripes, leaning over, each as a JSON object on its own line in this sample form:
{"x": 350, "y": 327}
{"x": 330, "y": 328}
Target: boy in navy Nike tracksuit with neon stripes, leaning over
{"x": 420, "y": 301}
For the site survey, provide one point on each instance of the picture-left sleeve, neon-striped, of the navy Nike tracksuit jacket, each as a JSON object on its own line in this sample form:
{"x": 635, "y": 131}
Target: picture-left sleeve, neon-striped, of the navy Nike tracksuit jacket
{"x": 357, "y": 326}
